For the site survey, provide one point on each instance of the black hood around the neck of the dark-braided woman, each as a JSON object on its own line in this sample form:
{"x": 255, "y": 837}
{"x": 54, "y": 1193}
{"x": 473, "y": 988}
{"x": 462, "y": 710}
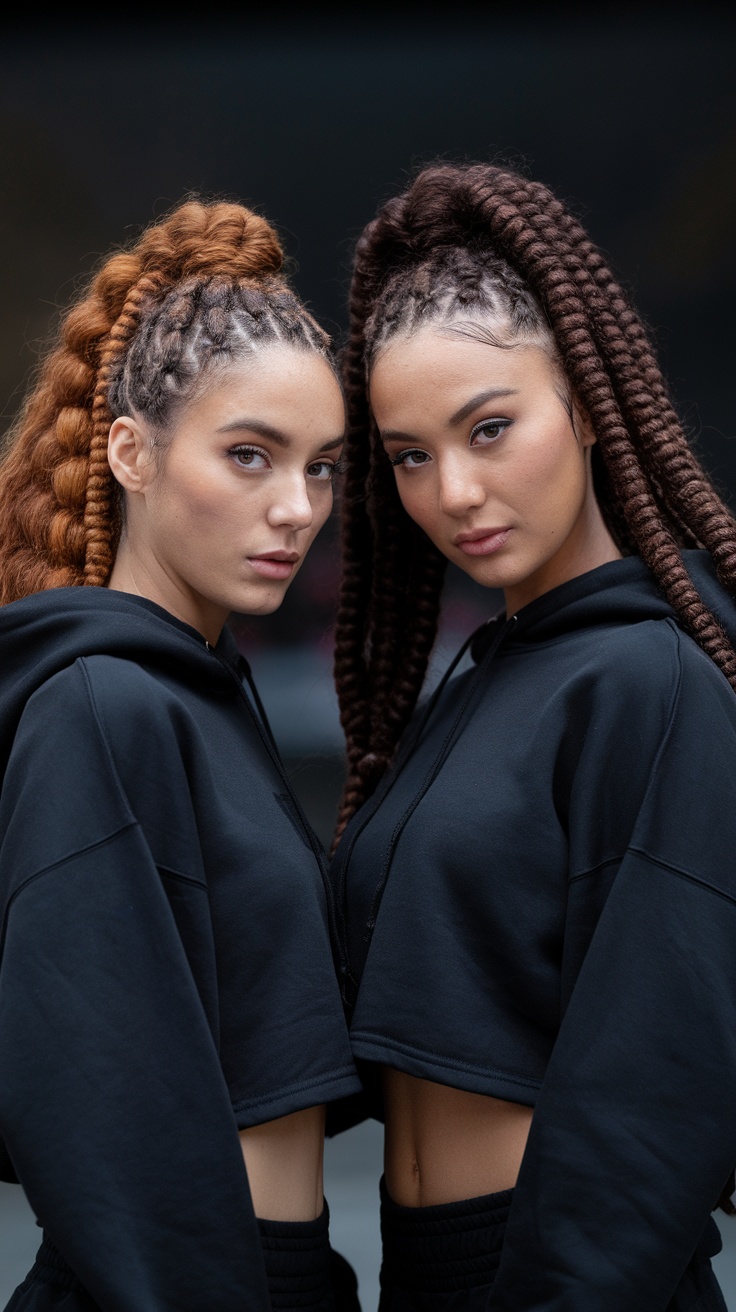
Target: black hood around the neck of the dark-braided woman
{"x": 621, "y": 592}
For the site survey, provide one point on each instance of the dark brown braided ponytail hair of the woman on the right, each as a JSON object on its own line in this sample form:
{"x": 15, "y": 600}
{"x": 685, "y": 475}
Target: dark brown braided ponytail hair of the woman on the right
{"x": 491, "y": 254}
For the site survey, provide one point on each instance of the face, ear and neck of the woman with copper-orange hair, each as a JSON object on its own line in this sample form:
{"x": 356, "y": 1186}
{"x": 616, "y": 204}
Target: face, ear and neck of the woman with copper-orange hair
{"x": 224, "y": 516}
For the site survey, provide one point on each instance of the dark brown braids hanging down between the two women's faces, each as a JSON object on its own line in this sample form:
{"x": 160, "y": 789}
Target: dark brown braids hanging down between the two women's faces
{"x": 378, "y": 679}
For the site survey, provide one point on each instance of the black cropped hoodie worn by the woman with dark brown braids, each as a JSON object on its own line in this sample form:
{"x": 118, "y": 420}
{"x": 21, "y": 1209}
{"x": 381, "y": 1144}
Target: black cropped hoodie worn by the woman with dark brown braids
{"x": 540, "y": 905}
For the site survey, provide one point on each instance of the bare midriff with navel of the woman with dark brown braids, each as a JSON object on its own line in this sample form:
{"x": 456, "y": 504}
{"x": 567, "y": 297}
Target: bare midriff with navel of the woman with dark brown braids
{"x": 445, "y": 1145}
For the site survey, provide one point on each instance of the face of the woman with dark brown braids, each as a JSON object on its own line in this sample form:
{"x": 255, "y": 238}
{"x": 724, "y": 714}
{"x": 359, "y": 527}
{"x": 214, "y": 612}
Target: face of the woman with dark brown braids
{"x": 489, "y": 460}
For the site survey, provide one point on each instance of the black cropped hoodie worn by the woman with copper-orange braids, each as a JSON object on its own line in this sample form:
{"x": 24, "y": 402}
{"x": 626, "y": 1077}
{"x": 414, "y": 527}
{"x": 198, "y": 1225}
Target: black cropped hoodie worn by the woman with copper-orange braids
{"x": 166, "y": 969}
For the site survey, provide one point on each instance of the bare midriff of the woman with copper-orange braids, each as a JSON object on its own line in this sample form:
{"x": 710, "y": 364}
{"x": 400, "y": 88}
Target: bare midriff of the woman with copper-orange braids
{"x": 284, "y": 1160}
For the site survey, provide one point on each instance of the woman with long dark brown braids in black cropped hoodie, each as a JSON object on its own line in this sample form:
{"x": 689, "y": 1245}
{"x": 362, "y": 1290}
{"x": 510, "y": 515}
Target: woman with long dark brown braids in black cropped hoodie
{"x": 536, "y": 873}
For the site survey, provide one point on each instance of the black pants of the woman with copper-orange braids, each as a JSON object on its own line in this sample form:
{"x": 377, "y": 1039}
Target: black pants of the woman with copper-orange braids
{"x": 304, "y": 1275}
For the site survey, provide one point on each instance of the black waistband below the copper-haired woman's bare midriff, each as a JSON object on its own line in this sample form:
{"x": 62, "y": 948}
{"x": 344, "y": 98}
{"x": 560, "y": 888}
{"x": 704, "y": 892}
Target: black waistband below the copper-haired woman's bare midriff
{"x": 297, "y": 1260}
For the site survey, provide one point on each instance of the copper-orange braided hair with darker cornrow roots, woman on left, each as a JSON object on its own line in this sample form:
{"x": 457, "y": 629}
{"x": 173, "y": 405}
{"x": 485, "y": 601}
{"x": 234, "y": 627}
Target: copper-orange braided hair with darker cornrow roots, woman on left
{"x": 199, "y": 291}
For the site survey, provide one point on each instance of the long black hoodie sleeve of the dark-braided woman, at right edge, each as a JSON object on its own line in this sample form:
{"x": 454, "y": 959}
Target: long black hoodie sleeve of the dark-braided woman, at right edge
{"x": 634, "y": 1133}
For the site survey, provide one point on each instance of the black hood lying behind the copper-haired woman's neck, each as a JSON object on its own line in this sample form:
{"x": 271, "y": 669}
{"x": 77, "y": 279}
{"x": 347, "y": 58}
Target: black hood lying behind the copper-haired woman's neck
{"x": 48, "y": 632}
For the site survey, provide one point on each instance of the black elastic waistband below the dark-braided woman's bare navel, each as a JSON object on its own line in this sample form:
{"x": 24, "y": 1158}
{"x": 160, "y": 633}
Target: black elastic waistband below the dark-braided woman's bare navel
{"x": 445, "y": 1248}
